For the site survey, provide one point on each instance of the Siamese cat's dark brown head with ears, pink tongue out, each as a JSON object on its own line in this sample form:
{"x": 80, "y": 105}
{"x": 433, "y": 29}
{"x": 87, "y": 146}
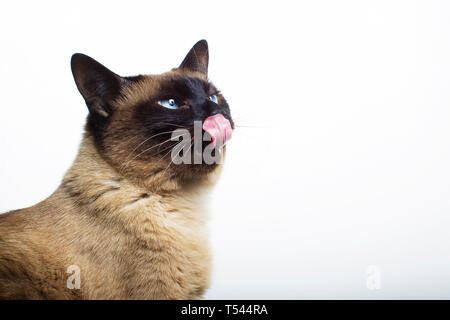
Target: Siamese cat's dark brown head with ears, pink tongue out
{"x": 132, "y": 119}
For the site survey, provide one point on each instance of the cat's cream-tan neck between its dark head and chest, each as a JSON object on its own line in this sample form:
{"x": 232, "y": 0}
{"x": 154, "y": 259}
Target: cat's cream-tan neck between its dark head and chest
{"x": 95, "y": 186}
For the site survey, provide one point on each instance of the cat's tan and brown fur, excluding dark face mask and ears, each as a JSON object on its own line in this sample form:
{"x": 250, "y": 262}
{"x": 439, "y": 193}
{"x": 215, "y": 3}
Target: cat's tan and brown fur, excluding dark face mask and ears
{"x": 133, "y": 235}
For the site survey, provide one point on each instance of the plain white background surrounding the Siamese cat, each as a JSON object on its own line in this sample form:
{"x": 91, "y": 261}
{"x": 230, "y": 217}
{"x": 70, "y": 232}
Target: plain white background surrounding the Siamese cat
{"x": 342, "y": 160}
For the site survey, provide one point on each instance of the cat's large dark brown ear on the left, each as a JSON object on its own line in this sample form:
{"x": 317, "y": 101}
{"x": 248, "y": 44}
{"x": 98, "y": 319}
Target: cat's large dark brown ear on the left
{"x": 97, "y": 84}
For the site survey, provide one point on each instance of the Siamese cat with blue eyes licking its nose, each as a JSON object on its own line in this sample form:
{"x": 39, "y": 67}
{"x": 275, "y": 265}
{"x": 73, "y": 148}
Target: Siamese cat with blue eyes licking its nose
{"x": 125, "y": 223}
